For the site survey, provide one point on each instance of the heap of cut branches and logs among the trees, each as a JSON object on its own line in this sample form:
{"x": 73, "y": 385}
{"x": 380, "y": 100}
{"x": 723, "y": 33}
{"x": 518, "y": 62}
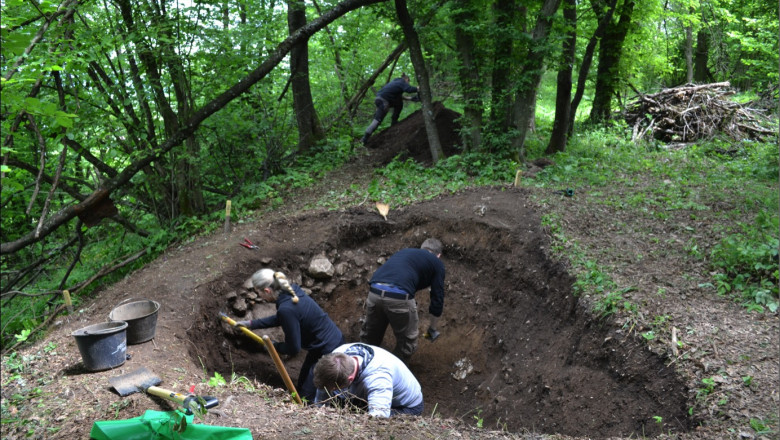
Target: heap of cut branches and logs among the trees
{"x": 693, "y": 112}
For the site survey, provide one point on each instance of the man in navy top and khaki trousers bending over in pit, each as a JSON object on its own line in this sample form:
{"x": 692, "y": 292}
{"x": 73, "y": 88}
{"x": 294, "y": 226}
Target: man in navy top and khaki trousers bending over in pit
{"x": 391, "y": 297}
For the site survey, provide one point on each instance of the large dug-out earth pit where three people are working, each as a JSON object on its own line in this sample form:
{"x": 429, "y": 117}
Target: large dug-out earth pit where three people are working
{"x": 518, "y": 350}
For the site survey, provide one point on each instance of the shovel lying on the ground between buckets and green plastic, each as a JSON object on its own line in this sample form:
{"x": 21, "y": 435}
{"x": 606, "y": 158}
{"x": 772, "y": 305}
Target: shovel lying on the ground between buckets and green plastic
{"x": 143, "y": 380}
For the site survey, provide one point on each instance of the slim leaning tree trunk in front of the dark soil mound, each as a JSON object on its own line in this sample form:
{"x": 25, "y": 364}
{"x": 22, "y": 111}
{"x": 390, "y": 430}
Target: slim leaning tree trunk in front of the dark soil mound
{"x": 423, "y": 83}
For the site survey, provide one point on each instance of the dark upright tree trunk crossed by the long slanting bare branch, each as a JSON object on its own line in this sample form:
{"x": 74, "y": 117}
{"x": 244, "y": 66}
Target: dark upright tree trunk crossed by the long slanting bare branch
{"x": 309, "y": 126}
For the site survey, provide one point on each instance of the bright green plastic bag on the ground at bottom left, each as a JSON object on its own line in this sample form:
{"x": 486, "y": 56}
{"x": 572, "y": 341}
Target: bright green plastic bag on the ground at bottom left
{"x": 164, "y": 425}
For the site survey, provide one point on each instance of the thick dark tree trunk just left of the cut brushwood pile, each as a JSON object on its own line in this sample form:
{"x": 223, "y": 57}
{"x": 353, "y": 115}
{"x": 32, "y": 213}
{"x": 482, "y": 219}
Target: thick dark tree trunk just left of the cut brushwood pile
{"x": 608, "y": 75}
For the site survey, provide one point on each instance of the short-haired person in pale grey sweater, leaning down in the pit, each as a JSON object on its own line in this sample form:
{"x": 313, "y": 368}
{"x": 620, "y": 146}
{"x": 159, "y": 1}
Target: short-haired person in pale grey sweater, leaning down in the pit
{"x": 370, "y": 375}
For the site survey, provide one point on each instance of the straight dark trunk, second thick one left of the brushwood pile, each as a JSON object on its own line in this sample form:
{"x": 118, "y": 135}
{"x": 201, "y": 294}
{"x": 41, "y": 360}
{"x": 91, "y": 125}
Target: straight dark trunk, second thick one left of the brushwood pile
{"x": 559, "y": 135}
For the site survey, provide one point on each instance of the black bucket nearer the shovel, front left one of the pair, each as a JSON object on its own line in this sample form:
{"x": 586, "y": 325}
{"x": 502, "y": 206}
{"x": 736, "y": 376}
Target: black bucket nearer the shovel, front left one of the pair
{"x": 103, "y": 345}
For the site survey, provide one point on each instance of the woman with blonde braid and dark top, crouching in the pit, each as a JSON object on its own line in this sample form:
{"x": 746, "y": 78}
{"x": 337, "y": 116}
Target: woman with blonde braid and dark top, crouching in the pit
{"x": 304, "y": 323}
